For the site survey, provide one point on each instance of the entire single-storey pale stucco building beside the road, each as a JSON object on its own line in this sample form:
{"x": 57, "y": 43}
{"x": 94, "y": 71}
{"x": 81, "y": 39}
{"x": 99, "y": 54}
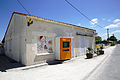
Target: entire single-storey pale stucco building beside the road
{"x": 31, "y": 40}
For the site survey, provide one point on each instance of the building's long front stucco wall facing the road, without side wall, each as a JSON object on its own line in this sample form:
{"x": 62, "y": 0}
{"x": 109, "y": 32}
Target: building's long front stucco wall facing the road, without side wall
{"x": 39, "y": 27}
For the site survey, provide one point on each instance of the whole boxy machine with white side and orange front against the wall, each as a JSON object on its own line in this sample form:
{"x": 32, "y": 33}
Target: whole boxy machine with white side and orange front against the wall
{"x": 63, "y": 48}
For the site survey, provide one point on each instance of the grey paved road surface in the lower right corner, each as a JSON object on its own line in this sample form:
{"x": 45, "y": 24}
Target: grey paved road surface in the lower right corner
{"x": 110, "y": 69}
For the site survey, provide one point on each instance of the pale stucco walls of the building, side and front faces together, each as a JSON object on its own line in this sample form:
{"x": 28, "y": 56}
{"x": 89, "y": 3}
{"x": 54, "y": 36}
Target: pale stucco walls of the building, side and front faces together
{"x": 21, "y": 40}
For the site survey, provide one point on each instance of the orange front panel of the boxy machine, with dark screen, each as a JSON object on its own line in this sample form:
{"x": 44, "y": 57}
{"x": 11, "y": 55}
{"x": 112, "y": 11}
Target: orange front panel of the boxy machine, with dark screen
{"x": 65, "y": 48}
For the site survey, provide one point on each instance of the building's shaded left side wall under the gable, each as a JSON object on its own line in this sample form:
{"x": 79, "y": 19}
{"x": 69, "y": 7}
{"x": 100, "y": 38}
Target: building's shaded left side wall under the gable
{"x": 15, "y": 39}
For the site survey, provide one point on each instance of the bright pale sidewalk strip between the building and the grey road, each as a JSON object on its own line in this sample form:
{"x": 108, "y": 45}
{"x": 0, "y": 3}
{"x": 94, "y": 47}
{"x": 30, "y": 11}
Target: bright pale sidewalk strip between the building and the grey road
{"x": 76, "y": 69}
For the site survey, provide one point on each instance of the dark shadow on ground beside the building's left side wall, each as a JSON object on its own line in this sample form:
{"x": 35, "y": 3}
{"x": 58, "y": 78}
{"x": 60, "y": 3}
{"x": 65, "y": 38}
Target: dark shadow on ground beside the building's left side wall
{"x": 8, "y": 63}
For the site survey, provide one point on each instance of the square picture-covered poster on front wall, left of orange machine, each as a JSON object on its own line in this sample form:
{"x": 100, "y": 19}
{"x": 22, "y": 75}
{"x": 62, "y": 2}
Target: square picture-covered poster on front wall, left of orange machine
{"x": 44, "y": 45}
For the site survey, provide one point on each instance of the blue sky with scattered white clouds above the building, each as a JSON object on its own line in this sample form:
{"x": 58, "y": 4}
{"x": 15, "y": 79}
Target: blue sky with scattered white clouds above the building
{"x": 106, "y": 13}
